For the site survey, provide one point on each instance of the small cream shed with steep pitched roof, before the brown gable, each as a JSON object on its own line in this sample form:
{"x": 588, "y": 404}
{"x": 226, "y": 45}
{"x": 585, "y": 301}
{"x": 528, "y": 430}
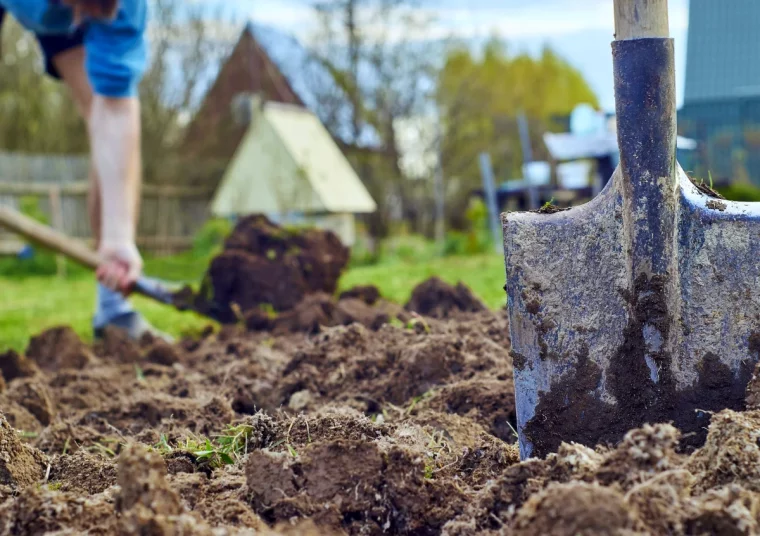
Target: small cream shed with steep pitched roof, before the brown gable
{"x": 289, "y": 167}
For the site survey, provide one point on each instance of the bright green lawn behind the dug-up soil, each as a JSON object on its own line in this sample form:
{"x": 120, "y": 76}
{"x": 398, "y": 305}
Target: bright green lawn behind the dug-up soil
{"x": 30, "y": 305}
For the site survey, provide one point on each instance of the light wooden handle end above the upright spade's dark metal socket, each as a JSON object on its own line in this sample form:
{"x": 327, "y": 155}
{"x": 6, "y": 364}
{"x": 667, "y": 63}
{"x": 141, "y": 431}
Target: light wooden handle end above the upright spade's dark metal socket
{"x": 641, "y": 19}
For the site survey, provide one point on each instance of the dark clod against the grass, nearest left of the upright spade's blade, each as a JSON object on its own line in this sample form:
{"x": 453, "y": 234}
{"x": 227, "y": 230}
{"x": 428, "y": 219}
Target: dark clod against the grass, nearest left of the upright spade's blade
{"x": 437, "y": 299}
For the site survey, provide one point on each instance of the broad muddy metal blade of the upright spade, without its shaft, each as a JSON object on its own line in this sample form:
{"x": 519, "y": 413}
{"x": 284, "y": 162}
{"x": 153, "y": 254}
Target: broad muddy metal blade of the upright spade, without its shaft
{"x": 598, "y": 351}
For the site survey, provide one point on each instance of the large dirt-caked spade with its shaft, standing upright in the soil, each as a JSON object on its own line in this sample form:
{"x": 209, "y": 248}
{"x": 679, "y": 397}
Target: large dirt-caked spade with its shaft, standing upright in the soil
{"x": 643, "y": 305}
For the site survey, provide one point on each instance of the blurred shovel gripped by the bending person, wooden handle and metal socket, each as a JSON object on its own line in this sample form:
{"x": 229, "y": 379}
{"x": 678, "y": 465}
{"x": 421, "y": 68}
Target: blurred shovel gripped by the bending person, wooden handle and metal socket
{"x": 159, "y": 291}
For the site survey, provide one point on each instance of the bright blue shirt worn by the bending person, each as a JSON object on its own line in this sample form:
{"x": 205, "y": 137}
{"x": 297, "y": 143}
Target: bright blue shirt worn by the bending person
{"x": 115, "y": 50}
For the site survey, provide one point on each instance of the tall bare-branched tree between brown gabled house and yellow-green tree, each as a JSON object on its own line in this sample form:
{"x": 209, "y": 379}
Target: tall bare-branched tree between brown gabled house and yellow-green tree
{"x": 380, "y": 69}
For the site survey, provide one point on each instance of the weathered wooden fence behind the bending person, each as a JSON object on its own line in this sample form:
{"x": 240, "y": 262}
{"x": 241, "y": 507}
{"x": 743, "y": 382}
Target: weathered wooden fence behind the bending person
{"x": 169, "y": 215}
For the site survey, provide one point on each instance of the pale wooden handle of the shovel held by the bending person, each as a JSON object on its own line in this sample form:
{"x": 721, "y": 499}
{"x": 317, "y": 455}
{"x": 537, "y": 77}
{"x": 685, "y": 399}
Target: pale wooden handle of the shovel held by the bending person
{"x": 47, "y": 237}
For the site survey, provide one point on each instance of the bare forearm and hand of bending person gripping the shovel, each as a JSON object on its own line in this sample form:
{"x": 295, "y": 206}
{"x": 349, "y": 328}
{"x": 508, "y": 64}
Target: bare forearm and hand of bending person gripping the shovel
{"x": 115, "y": 143}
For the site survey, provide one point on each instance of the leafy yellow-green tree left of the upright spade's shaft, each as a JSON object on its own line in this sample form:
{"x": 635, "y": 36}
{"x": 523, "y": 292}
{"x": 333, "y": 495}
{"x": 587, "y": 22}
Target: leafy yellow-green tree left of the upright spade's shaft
{"x": 479, "y": 100}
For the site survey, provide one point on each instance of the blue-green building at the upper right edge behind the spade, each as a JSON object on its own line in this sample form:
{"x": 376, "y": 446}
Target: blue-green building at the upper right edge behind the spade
{"x": 721, "y": 106}
